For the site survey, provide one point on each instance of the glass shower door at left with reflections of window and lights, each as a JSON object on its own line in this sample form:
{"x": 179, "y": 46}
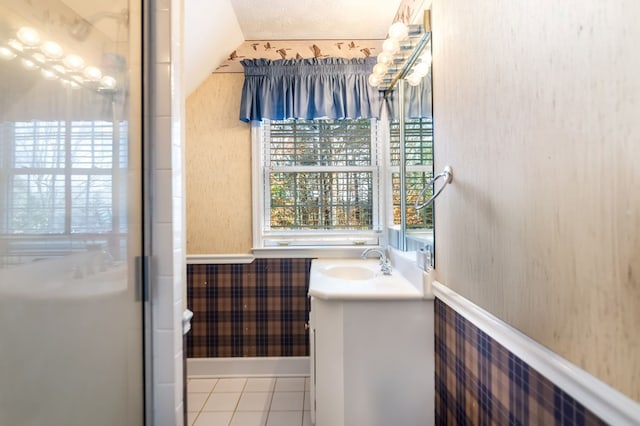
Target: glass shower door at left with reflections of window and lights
{"x": 71, "y": 319}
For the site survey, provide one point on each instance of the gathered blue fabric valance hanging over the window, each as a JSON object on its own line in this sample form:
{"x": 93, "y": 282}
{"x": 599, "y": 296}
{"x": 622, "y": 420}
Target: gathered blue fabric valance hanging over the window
{"x": 332, "y": 88}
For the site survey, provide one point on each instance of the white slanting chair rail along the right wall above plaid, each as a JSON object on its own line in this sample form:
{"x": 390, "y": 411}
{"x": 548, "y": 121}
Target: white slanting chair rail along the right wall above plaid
{"x": 604, "y": 401}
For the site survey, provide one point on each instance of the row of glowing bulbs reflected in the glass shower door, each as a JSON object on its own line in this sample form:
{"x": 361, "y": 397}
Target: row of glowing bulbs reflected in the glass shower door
{"x": 50, "y": 58}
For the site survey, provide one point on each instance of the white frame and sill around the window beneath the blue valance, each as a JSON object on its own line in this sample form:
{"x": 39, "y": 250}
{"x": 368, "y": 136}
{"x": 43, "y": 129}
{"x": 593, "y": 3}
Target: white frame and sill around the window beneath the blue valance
{"x": 266, "y": 240}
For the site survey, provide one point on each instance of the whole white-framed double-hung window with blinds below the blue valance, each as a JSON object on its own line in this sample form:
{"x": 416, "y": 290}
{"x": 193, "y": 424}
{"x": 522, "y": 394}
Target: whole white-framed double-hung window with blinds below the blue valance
{"x": 318, "y": 182}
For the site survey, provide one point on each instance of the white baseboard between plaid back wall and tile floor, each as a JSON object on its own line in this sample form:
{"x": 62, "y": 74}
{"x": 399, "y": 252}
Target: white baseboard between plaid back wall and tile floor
{"x": 255, "y": 367}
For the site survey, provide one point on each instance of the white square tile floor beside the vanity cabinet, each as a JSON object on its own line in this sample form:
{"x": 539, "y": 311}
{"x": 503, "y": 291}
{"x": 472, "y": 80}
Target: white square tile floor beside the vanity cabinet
{"x": 248, "y": 401}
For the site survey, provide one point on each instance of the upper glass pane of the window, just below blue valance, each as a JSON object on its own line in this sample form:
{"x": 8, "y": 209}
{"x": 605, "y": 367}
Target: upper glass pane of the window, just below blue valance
{"x": 320, "y": 143}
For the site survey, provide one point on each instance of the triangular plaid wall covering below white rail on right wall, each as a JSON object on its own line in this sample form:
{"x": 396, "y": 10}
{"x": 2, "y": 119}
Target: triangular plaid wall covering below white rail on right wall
{"x": 479, "y": 382}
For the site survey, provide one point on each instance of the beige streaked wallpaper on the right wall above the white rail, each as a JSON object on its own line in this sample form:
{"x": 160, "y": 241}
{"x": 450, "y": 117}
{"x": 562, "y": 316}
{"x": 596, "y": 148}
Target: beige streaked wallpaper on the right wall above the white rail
{"x": 536, "y": 109}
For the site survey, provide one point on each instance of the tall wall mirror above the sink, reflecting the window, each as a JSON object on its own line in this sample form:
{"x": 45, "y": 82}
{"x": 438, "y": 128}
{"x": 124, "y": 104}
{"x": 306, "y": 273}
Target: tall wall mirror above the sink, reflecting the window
{"x": 411, "y": 149}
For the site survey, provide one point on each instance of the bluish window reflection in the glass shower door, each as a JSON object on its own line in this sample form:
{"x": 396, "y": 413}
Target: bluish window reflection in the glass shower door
{"x": 61, "y": 176}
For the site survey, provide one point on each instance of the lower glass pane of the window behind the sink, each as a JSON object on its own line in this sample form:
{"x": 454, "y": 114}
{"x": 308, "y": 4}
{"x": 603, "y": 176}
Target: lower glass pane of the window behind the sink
{"x": 322, "y": 200}
